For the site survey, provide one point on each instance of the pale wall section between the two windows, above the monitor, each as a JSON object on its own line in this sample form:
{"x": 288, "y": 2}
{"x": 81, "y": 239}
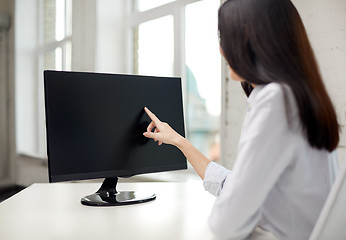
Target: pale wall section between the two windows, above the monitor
{"x": 98, "y": 36}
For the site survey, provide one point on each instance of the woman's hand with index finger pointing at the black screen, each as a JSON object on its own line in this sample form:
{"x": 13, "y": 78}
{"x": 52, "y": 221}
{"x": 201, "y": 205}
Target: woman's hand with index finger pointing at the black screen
{"x": 163, "y": 133}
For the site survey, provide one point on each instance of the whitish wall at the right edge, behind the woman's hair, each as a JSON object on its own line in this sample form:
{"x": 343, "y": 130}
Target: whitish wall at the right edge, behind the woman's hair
{"x": 326, "y": 26}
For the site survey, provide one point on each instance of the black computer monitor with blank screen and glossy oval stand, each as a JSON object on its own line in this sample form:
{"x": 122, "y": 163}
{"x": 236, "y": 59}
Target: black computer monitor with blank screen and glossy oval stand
{"x": 95, "y": 124}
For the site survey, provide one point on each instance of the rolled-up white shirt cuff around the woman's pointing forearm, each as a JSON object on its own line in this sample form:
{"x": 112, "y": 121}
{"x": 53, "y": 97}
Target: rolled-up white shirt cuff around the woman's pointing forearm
{"x": 214, "y": 178}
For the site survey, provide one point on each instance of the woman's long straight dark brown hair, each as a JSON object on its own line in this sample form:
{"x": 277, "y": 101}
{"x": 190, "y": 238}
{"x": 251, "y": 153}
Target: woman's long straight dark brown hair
{"x": 265, "y": 41}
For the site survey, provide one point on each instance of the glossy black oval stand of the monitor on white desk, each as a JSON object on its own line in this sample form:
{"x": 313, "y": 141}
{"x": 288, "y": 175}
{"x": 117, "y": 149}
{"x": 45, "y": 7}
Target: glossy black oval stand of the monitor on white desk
{"x": 107, "y": 195}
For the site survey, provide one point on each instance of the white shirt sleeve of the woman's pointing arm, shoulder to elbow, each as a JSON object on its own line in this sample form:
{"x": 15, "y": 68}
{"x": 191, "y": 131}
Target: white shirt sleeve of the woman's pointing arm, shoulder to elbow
{"x": 264, "y": 151}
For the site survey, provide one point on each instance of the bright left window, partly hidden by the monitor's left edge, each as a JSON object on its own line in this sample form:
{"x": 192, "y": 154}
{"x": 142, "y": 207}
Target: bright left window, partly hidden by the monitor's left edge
{"x": 43, "y": 41}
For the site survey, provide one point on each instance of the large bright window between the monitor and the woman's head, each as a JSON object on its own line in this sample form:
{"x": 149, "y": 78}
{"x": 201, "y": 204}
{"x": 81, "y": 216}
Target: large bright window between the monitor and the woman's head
{"x": 179, "y": 38}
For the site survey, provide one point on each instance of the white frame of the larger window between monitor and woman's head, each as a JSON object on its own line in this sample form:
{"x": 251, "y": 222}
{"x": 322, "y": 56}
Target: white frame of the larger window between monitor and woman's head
{"x": 177, "y": 10}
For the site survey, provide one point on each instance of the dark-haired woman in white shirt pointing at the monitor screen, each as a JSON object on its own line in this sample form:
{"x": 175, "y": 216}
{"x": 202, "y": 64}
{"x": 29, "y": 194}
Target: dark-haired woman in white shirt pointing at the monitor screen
{"x": 280, "y": 179}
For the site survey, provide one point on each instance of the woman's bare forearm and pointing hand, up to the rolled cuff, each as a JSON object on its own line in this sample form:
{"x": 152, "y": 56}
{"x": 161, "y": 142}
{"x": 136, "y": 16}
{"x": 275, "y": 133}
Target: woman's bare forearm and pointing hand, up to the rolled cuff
{"x": 163, "y": 133}
